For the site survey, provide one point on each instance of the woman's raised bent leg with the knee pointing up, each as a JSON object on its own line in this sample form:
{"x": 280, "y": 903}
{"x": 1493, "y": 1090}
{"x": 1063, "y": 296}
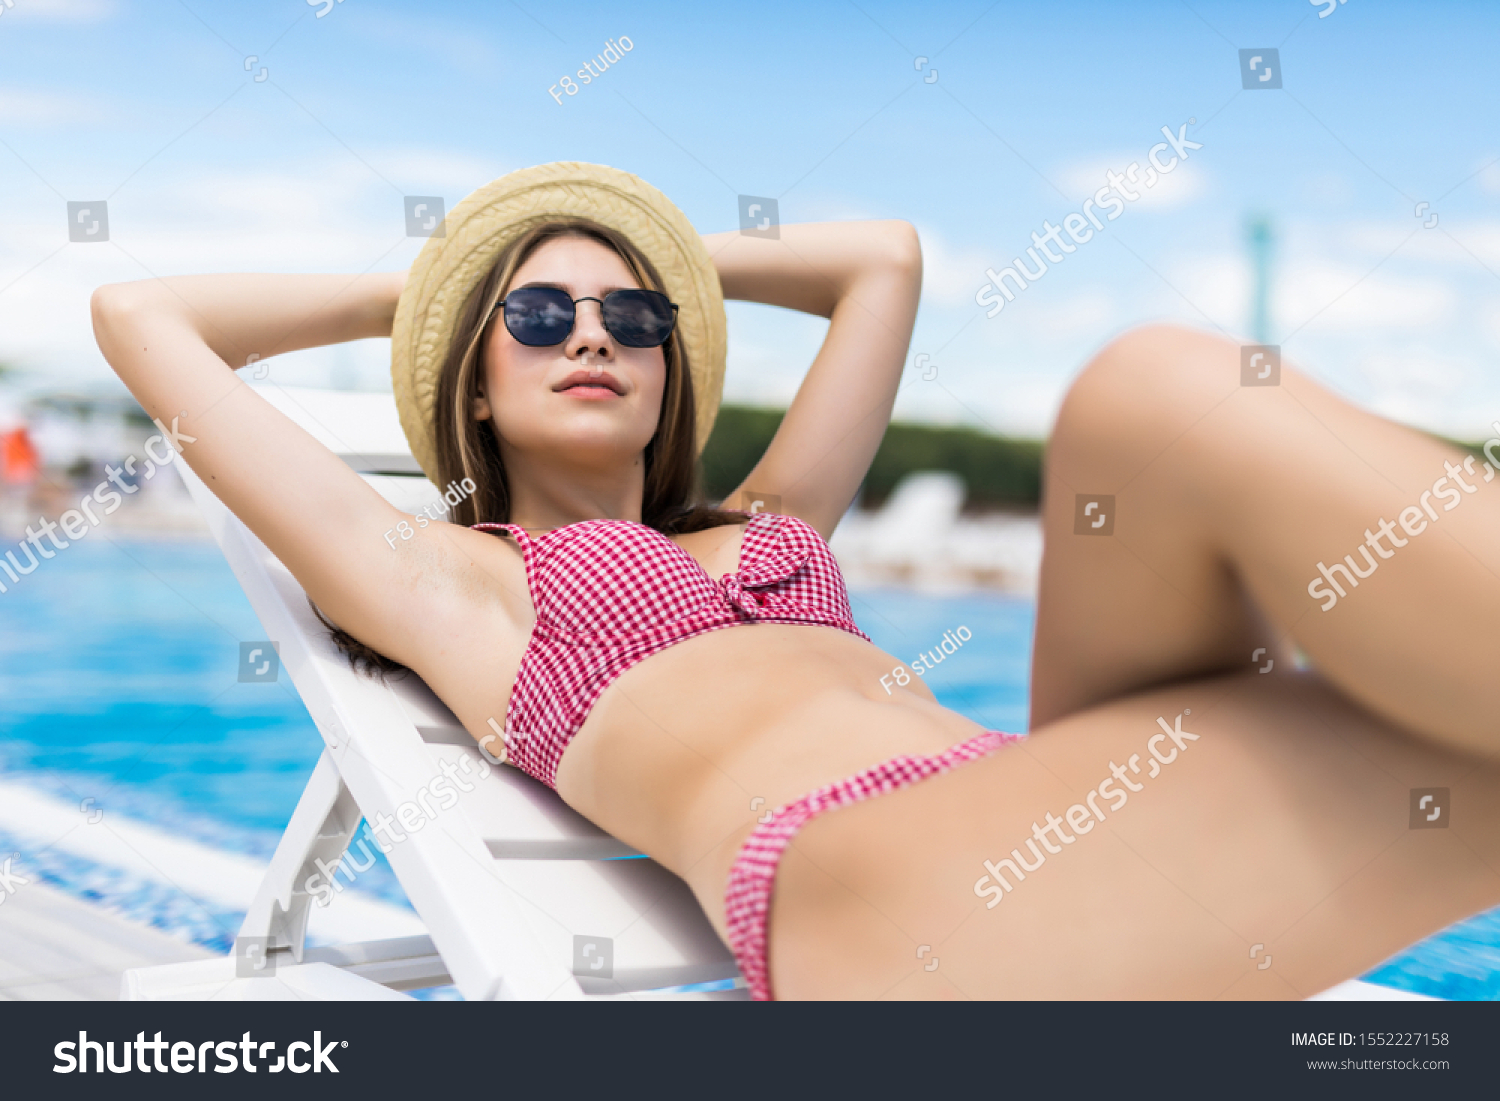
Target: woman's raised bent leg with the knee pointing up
{"x": 1226, "y": 502}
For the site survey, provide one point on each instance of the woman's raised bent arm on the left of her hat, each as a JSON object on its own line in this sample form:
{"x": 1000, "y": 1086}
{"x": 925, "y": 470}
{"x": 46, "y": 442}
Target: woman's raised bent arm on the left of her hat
{"x": 172, "y": 341}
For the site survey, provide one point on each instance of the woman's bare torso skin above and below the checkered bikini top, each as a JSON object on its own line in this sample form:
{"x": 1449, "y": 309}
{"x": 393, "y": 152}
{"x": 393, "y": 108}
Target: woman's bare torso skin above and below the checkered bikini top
{"x": 686, "y": 751}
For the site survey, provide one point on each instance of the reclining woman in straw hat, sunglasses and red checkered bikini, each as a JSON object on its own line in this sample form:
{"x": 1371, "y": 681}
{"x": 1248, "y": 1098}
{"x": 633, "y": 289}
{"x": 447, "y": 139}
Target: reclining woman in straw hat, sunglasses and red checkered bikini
{"x": 1189, "y": 818}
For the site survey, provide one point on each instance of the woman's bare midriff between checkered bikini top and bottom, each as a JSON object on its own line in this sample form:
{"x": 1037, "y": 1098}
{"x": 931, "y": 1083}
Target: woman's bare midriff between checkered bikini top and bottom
{"x": 686, "y": 751}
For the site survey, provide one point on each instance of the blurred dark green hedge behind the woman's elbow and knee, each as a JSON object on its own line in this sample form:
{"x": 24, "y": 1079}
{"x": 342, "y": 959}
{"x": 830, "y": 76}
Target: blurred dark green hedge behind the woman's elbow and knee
{"x": 1000, "y": 472}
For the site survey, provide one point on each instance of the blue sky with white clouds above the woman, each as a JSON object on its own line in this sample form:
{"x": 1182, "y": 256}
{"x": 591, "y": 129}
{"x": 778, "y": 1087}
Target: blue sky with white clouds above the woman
{"x": 821, "y": 106}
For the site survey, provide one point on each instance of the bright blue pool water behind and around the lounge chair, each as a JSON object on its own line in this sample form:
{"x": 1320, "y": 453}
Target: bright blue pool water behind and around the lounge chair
{"x": 119, "y": 683}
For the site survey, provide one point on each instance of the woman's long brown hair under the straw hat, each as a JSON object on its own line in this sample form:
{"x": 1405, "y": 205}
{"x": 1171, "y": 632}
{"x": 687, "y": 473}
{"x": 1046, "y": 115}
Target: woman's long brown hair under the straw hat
{"x": 671, "y": 502}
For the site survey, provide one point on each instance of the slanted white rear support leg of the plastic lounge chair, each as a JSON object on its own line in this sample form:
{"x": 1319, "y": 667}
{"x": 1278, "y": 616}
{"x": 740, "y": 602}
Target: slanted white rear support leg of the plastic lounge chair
{"x": 313, "y": 845}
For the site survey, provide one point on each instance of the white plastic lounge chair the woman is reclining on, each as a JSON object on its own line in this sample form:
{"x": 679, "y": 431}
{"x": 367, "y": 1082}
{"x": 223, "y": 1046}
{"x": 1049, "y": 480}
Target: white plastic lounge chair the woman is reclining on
{"x": 521, "y": 896}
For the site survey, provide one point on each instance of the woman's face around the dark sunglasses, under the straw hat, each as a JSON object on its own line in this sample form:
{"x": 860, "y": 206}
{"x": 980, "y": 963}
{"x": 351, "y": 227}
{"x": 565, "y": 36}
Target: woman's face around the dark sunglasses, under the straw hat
{"x": 587, "y": 400}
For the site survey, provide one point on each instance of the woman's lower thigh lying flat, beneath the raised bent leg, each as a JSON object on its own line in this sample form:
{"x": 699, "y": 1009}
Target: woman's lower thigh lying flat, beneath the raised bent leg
{"x": 1277, "y": 854}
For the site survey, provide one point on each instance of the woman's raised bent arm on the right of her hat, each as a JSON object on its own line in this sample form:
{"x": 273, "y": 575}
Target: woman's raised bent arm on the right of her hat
{"x": 866, "y": 277}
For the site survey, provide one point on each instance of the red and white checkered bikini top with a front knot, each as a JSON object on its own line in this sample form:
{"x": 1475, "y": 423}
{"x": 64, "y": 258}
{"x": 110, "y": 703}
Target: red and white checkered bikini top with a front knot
{"x": 613, "y": 593}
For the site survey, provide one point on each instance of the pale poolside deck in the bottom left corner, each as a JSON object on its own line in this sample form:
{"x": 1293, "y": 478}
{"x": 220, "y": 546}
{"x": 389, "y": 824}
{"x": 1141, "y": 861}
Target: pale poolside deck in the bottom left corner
{"x": 58, "y": 949}
